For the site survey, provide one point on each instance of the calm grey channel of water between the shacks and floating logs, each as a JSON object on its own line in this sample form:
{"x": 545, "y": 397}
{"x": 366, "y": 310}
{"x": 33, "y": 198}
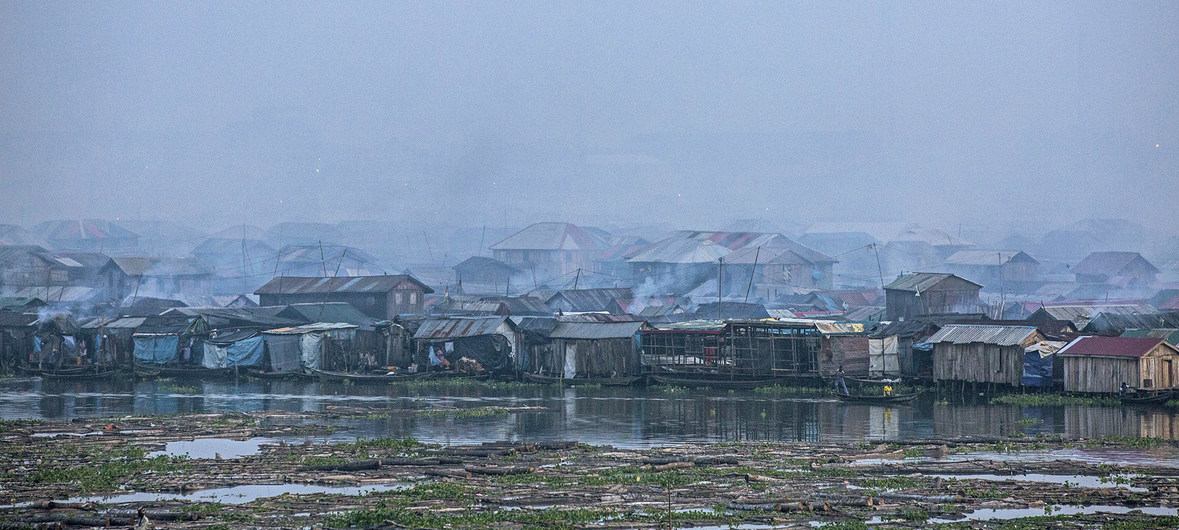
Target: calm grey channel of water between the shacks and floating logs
{"x": 621, "y": 418}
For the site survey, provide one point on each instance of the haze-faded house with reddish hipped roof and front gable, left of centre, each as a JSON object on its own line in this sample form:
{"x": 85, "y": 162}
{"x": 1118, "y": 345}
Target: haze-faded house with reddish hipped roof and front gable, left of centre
{"x": 550, "y": 251}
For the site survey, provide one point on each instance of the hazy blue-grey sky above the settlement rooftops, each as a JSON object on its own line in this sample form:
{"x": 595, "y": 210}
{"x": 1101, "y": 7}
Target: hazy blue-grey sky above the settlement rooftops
{"x": 687, "y": 114}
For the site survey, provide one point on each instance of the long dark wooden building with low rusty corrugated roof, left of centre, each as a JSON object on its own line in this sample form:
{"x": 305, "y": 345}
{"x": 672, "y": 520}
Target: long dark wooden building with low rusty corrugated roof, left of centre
{"x": 381, "y": 297}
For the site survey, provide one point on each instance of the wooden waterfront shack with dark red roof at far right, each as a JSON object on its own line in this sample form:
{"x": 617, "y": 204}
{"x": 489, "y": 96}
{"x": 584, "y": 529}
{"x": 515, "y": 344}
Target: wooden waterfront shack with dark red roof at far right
{"x": 1102, "y": 365}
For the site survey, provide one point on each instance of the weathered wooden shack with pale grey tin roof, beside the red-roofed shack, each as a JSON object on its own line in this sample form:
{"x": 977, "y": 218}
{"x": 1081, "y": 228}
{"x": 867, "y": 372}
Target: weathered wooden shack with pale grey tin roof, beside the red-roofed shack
{"x": 982, "y": 354}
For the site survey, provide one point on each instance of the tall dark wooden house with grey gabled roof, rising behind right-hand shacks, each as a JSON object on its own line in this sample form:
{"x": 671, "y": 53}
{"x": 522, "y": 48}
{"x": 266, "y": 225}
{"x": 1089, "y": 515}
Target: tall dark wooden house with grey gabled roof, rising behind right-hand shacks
{"x": 931, "y": 294}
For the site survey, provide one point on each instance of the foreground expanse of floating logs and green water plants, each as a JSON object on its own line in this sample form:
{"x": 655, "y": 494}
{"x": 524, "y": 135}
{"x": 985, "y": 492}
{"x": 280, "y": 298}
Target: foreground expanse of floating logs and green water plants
{"x": 280, "y": 471}
